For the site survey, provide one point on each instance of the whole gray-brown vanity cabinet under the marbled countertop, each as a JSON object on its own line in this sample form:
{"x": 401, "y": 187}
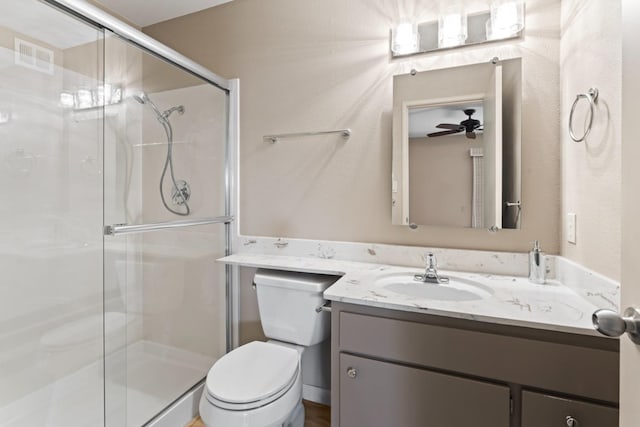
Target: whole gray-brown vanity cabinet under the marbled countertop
{"x": 395, "y": 368}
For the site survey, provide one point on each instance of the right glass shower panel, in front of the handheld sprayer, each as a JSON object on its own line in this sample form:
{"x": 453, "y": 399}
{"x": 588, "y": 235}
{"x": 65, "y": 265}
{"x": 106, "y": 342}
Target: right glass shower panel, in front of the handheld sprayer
{"x": 165, "y": 284}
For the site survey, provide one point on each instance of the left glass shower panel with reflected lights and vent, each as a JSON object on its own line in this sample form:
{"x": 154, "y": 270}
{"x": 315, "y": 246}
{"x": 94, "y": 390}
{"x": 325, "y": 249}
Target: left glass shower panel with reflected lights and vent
{"x": 51, "y": 311}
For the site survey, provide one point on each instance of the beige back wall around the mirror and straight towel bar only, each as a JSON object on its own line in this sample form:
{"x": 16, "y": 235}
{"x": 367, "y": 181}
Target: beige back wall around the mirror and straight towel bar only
{"x": 308, "y": 66}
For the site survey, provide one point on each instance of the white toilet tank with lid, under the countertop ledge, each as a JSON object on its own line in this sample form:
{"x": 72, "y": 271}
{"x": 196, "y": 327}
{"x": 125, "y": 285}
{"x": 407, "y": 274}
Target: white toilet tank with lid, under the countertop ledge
{"x": 288, "y": 300}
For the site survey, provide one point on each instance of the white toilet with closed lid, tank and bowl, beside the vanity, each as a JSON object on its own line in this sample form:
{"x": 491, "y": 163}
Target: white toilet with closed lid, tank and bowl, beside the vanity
{"x": 260, "y": 384}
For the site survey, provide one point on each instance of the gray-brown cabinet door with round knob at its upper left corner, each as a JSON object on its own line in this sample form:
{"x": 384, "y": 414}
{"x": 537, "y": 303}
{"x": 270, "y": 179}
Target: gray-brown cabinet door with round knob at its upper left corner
{"x": 382, "y": 394}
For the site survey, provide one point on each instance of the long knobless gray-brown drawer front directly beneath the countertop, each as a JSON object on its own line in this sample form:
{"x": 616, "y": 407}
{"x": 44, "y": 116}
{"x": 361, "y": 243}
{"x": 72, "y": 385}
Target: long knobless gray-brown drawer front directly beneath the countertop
{"x": 568, "y": 369}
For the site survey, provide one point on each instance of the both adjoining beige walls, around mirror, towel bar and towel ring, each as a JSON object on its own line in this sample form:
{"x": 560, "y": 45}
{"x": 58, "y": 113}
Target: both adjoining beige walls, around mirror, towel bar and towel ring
{"x": 334, "y": 70}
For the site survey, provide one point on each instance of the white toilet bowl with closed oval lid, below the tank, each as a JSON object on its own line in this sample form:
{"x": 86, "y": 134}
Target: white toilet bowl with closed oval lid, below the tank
{"x": 257, "y": 384}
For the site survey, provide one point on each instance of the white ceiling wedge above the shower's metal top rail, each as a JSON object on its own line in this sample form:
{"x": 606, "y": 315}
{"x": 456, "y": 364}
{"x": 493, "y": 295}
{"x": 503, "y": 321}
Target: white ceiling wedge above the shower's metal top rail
{"x": 146, "y": 12}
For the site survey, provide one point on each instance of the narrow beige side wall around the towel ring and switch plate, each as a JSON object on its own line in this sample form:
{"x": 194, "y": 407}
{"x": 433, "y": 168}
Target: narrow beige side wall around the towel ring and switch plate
{"x": 591, "y": 178}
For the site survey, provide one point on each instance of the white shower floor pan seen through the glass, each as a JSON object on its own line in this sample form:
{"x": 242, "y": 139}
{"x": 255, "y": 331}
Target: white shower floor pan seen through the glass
{"x": 155, "y": 376}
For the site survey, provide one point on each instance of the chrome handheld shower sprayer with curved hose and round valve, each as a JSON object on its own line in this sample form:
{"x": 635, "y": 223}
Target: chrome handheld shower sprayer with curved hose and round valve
{"x": 181, "y": 190}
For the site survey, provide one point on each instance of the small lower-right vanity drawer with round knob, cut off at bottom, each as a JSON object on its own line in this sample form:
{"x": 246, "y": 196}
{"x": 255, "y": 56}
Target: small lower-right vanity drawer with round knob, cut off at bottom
{"x": 544, "y": 410}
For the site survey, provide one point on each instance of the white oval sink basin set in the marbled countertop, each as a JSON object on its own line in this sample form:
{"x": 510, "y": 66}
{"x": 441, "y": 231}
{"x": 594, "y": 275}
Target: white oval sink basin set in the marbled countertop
{"x": 457, "y": 289}
